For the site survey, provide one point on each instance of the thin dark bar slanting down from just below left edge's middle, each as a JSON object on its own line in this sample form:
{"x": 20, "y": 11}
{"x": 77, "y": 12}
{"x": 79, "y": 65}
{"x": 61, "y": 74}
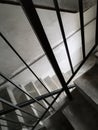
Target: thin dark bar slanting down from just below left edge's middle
{"x": 2, "y": 75}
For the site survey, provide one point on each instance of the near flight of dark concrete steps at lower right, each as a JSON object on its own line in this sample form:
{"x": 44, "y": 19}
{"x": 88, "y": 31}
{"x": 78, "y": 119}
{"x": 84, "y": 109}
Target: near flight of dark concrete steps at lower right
{"x": 82, "y": 112}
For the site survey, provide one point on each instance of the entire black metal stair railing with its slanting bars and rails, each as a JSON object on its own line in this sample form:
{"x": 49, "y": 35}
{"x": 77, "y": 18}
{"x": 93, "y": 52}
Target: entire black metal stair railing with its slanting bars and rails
{"x": 31, "y": 13}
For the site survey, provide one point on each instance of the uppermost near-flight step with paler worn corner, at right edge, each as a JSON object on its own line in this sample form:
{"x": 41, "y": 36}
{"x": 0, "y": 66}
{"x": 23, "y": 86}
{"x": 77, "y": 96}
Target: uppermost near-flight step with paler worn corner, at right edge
{"x": 88, "y": 85}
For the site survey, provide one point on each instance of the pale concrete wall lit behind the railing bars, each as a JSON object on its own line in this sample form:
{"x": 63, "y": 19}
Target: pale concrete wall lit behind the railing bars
{"x": 17, "y": 30}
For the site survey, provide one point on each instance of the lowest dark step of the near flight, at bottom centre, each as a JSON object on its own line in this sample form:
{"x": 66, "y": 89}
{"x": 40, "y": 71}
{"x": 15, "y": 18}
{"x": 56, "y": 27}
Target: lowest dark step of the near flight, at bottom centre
{"x": 58, "y": 122}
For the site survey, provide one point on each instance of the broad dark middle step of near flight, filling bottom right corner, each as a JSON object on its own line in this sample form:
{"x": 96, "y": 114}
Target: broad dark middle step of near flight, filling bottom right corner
{"x": 81, "y": 114}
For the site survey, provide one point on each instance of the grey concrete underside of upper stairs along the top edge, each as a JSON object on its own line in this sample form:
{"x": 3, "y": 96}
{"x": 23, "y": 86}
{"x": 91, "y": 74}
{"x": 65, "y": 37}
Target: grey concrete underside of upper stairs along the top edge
{"x": 64, "y": 5}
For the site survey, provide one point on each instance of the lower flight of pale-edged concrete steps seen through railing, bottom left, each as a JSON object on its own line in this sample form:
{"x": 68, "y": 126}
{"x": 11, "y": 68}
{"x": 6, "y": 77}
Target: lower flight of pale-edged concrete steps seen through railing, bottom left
{"x": 15, "y": 96}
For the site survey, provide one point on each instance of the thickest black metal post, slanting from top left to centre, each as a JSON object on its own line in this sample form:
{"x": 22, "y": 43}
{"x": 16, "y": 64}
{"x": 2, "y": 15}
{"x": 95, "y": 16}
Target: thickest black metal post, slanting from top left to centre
{"x": 35, "y": 22}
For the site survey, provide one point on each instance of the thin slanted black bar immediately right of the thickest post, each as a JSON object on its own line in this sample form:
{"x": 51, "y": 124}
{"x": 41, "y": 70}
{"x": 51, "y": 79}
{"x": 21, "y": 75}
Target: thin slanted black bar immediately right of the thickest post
{"x": 63, "y": 33}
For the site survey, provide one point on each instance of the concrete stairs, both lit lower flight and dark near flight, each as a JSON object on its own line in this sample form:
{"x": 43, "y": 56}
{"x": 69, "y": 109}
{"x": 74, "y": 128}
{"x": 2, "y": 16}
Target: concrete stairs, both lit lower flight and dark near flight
{"x": 79, "y": 114}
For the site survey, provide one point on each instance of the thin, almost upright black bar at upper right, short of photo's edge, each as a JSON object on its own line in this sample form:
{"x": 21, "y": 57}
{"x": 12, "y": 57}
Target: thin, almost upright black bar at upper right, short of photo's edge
{"x": 82, "y": 26}
